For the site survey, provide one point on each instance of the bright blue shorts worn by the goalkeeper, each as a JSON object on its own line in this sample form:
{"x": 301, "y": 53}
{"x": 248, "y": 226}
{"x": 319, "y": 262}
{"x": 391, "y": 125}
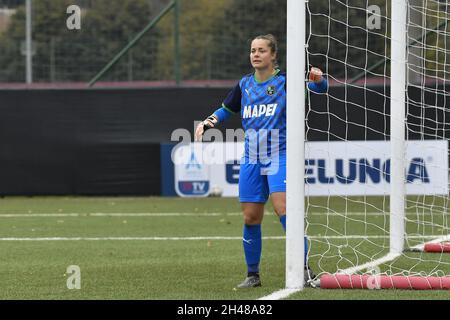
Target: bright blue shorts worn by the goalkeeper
{"x": 257, "y": 181}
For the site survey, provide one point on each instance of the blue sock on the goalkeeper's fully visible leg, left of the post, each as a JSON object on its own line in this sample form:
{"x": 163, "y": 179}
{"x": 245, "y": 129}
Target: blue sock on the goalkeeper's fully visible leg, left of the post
{"x": 252, "y": 242}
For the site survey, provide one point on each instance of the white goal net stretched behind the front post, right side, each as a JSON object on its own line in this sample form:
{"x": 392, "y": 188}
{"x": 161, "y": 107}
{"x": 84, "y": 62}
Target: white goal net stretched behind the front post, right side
{"x": 365, "y": 228}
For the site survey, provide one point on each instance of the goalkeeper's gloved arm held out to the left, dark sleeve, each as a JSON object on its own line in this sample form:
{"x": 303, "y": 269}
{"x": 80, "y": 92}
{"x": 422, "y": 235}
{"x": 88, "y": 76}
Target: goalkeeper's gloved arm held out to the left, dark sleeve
{"x": 230, "y": 106}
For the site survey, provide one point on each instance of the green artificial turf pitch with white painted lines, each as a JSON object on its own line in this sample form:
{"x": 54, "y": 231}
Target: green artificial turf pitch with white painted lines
{"x": 182, "y": 249}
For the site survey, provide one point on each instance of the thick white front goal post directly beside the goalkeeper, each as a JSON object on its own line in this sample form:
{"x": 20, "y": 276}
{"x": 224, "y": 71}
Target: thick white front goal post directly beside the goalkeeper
{"x": 295, "y": 168}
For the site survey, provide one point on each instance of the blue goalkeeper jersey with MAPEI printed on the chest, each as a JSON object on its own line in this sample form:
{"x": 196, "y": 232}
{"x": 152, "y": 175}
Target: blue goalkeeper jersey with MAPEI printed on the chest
{"x": 262, "y": 106}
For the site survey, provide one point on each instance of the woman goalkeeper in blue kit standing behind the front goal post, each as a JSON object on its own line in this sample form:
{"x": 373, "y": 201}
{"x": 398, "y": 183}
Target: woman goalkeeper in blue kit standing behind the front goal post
{"x": 260, "y": 99}
